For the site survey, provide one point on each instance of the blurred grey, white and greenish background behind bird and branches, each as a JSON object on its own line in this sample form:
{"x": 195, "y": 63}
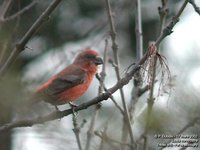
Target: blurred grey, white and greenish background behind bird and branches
{"x": 76, "y": 25}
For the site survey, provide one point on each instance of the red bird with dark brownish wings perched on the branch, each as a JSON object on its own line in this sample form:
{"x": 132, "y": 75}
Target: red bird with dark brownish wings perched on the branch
{"x": 72, "y": 82}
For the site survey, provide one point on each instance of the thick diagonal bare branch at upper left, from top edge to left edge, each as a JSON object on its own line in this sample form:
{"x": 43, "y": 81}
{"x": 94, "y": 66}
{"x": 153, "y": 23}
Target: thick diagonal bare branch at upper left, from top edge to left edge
{"x": 21, "y": 45}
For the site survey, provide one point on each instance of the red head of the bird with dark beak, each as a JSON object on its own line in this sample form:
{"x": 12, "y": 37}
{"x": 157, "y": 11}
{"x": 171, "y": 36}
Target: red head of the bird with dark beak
{"x": 88, "y": 60}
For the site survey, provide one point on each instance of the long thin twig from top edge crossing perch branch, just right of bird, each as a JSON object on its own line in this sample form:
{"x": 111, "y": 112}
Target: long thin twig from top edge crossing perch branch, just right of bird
{"x": 116, "y": 59}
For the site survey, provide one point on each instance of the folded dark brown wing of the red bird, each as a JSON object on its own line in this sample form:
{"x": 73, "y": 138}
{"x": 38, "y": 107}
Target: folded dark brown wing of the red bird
{"x": 66, "y": 80}
